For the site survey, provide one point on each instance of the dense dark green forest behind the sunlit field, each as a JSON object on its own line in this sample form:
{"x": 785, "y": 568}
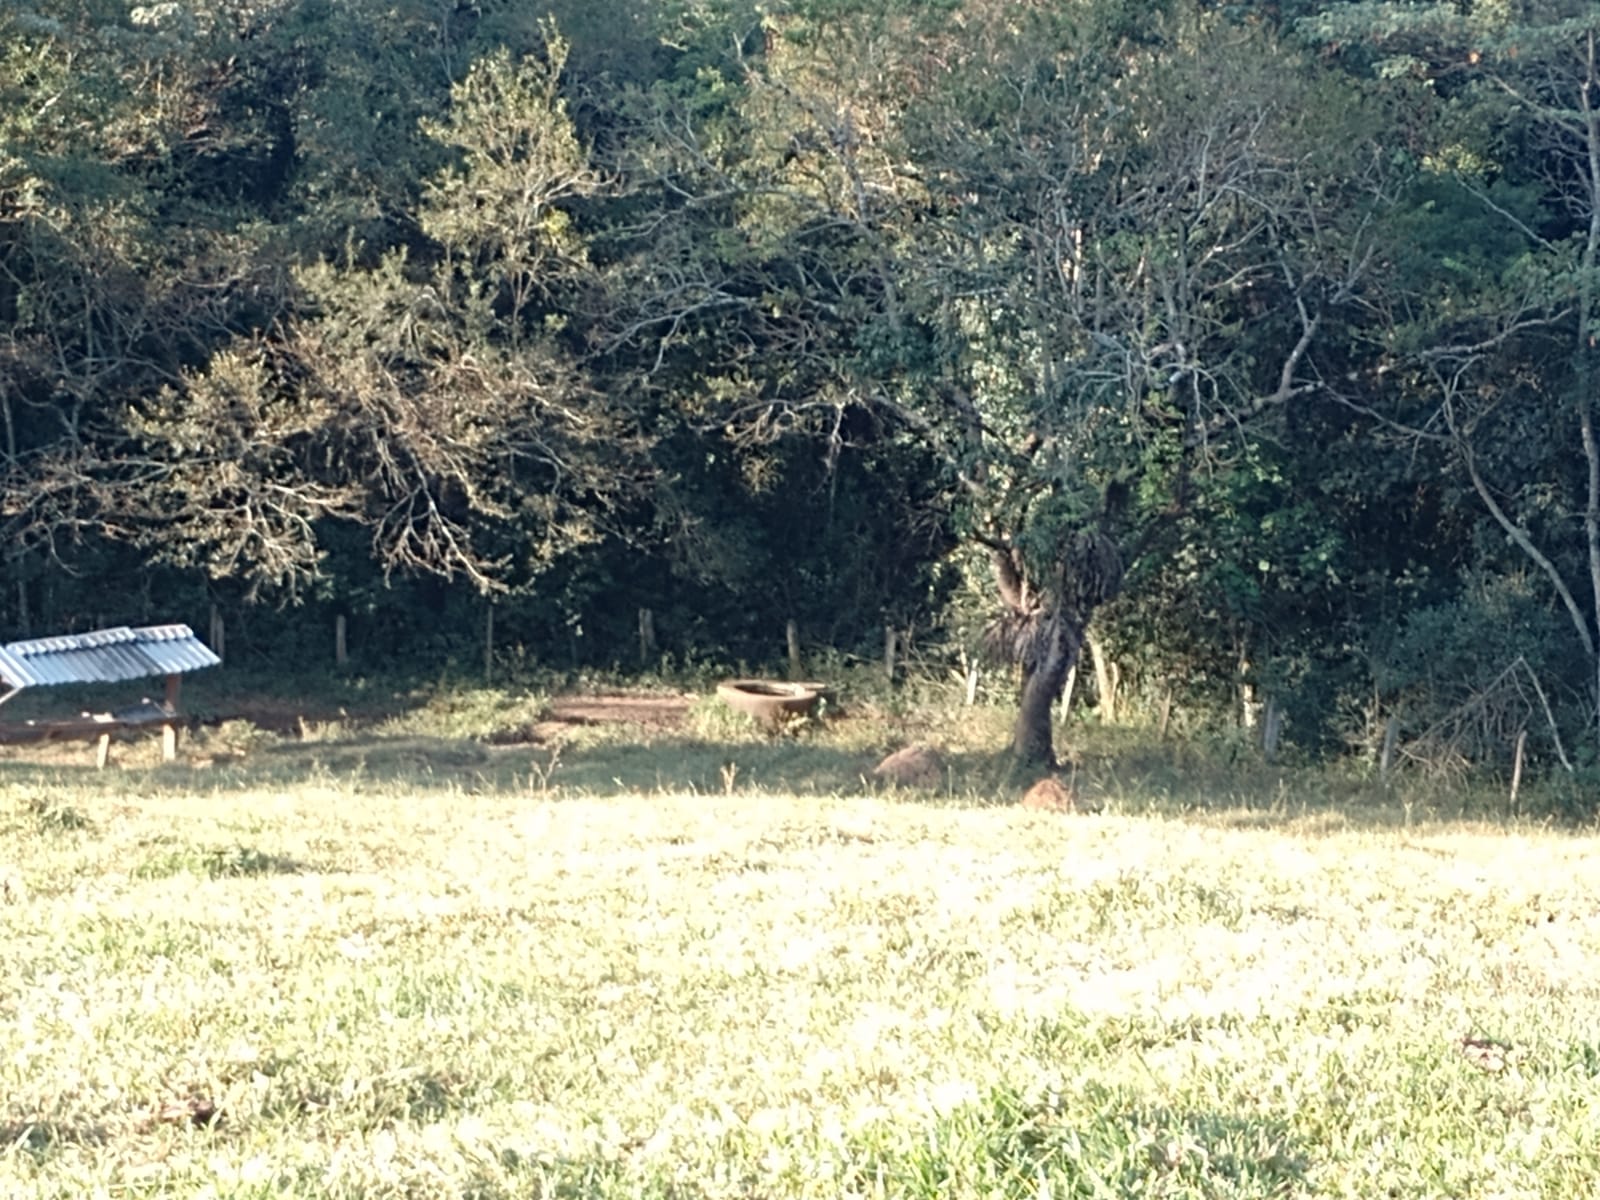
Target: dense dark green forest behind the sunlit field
{"x": 1244, "y": 350}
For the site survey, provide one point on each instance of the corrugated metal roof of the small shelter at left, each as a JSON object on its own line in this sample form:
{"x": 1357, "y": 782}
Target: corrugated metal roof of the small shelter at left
{"x": 105, "y": 657}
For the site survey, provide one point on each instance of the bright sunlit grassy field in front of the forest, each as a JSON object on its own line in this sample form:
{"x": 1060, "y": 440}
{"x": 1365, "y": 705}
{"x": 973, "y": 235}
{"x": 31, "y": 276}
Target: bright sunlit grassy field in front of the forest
{"x": 702, "y": 964}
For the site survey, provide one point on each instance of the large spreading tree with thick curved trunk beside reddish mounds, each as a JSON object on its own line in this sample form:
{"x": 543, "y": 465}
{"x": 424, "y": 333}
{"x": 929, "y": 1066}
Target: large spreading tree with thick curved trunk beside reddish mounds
{"x": 1078, "y": 255}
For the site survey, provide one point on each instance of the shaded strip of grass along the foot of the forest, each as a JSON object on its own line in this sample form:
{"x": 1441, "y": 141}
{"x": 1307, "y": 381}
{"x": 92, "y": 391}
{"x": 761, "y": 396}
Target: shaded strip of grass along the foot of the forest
{"x": 1114, "y": 772}
